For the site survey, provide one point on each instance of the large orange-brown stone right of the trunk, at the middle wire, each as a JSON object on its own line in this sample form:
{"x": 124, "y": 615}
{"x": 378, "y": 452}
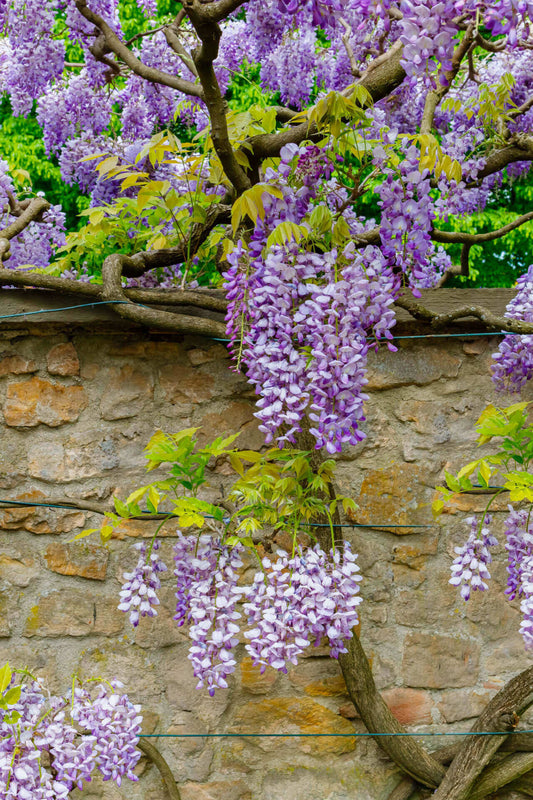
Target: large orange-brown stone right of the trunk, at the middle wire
{"x": 397, "y": 495}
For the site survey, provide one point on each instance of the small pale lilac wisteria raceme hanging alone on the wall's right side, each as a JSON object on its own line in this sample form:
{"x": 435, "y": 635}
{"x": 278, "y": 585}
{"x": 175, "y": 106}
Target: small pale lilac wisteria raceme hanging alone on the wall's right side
{"x": 470, "y": 568}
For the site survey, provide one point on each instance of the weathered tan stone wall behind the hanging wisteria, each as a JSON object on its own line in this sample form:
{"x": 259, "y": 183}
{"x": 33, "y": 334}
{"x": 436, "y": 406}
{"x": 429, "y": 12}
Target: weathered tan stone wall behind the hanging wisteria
{"x": 79, "y": 402}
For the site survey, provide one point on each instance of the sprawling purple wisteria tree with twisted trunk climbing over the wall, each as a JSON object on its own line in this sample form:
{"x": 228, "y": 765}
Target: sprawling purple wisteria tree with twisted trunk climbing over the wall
{"x": 348, "y": 183}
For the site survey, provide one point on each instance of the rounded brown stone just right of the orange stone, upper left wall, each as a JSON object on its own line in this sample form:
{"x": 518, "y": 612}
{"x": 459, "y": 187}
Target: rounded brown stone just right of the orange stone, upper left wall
{"x": 126, "y": 393}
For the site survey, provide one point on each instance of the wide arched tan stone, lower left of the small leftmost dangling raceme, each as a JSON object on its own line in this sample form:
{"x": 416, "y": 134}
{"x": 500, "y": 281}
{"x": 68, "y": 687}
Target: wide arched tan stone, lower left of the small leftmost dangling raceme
{"x": 71, "y": 612}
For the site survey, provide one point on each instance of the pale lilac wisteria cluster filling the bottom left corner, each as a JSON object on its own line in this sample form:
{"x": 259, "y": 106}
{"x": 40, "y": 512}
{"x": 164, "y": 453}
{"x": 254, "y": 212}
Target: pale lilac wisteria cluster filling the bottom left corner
{"x": 50, "y": 745}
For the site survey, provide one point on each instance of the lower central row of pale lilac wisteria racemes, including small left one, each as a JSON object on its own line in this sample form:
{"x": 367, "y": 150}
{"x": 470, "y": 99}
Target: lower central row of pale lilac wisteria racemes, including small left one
{"x": 293, "y": 602}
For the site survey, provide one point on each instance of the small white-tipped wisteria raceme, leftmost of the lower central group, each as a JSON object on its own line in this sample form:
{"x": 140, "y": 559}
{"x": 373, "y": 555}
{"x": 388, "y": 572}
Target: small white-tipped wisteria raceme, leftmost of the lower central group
{"x": 138, "y": 595}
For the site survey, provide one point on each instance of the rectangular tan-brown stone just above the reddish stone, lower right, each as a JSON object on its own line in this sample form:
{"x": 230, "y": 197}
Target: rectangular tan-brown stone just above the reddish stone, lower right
{"x": 439, "y": 662}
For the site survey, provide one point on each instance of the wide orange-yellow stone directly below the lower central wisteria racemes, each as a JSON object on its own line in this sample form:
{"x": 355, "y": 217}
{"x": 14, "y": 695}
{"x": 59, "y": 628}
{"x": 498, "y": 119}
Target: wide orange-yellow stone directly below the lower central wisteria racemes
{"x": 296, "y": 715}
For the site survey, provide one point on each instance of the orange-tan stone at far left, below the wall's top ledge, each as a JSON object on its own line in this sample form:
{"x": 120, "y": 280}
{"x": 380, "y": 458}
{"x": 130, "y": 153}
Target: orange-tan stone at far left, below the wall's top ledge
{"x": 38, "y": 401}
